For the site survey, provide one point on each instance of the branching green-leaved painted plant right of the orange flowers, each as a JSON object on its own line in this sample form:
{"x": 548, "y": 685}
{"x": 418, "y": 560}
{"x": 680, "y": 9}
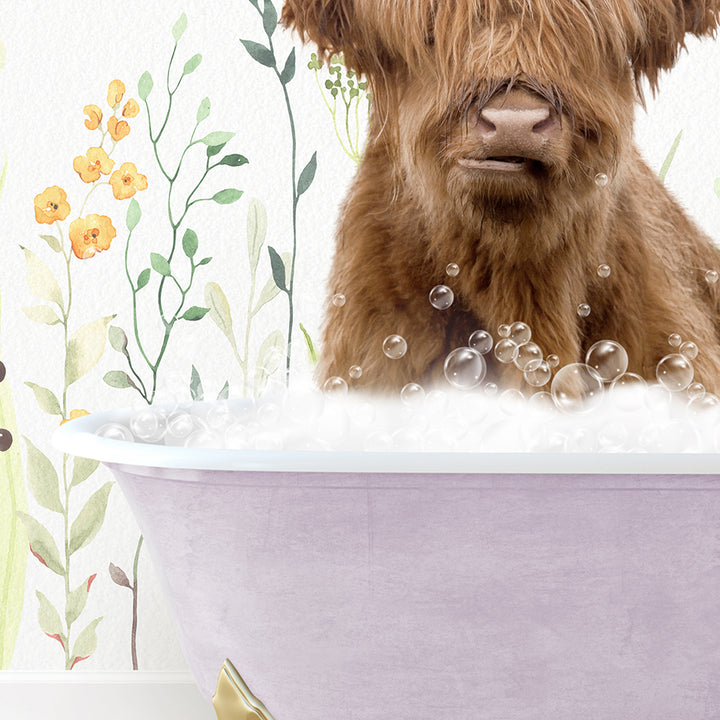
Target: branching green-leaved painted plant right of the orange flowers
{"x": 172, "y": 291}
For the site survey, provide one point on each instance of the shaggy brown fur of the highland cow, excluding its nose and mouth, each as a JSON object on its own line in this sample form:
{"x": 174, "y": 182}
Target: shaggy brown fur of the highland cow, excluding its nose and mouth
{"x": 528, "y": 244}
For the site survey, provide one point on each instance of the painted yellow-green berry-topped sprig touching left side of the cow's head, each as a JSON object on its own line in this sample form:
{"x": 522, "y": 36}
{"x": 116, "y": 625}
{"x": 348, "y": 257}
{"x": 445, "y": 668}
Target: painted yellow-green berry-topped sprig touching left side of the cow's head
{"x": 347, "y": 95}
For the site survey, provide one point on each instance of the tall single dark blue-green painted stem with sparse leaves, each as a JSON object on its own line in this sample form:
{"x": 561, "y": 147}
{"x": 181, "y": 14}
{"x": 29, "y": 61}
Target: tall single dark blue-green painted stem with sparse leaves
{"x": 266, "y": 56}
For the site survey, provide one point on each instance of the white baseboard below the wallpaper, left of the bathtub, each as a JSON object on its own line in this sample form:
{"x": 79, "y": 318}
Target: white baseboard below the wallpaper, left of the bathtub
{"x": 101, "y": 696}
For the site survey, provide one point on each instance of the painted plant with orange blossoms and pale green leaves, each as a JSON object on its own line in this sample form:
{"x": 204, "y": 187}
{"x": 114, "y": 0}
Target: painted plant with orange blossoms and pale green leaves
{"x": 86, "y": 237}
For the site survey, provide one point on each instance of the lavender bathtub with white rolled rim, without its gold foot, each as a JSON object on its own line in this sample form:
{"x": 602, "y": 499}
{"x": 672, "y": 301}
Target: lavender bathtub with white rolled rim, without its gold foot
{"x": 368, "y": 586}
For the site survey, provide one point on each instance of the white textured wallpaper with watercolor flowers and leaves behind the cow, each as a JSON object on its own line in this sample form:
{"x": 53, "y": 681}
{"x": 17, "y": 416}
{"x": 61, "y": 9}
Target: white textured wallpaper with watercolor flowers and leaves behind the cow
{"x": 170, "y": 177}
